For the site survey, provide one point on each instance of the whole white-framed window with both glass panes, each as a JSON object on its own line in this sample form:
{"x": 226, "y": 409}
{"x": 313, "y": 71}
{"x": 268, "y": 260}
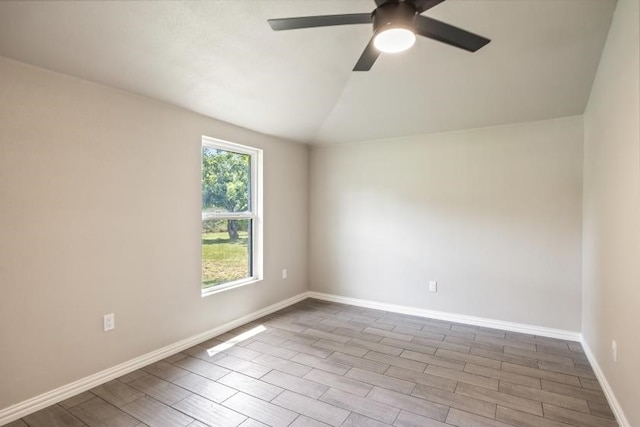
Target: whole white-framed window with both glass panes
{"x": 231, "y": 215}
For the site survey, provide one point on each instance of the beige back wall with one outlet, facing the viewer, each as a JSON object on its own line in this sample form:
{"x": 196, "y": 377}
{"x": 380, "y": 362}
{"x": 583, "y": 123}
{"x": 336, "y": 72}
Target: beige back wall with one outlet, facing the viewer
{"x": 494, "y": 215}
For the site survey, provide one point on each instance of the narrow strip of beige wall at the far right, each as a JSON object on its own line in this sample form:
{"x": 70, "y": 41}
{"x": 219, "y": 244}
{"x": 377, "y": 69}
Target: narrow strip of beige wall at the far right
{"x": 611, "y": 297}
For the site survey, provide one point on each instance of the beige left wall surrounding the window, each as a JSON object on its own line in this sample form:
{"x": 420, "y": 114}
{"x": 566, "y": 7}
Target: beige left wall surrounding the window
{"x": 100, "y": 213}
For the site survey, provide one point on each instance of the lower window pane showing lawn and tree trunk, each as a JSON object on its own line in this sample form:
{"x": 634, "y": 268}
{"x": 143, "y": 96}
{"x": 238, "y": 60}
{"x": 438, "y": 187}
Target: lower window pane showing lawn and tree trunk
{"x": 226, "y": 251}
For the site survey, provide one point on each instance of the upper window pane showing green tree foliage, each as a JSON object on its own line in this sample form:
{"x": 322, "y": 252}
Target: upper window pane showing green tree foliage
{"x": 225, "y": 181}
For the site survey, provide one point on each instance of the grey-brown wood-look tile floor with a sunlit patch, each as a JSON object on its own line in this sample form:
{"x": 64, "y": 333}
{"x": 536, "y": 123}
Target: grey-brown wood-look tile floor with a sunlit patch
{"x": 324, "y": 364}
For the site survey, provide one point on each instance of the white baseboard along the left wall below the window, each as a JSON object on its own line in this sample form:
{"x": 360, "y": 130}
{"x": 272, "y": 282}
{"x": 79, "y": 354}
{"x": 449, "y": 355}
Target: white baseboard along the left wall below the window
{"x": 59, "y": 394}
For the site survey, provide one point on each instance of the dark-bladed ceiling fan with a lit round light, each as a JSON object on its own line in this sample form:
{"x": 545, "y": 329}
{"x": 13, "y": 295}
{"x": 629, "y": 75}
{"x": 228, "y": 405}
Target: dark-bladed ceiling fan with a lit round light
{"x": 395, "y": 25}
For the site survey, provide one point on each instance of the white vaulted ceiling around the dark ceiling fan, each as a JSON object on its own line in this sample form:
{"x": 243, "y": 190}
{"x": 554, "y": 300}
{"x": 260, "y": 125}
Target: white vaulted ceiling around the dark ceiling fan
{"x": 221, "y": 59}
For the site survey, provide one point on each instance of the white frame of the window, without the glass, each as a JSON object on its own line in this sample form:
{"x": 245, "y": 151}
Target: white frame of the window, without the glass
{"x": 255, "y": 214}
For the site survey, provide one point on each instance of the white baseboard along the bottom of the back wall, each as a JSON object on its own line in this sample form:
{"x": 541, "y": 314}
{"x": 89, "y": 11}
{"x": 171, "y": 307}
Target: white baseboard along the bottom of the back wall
{"x": 452, "y": 317}
